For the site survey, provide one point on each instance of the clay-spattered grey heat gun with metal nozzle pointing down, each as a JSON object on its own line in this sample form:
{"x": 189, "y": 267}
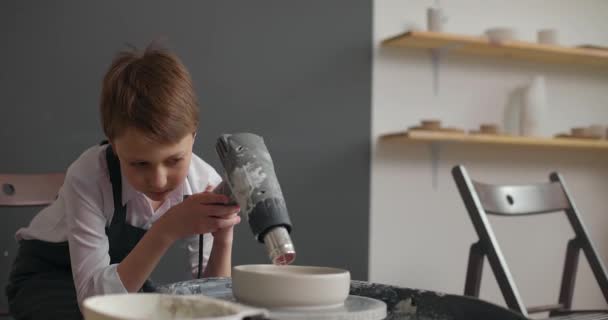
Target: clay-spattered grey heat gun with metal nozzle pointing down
{"x": 250, "y": 181}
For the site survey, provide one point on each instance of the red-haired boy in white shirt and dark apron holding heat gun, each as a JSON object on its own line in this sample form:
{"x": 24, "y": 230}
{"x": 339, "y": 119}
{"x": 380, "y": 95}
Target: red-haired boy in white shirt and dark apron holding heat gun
{"x": 122, "y": 204}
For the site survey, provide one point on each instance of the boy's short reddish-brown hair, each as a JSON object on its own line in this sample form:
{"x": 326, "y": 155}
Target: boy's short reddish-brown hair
{"x": 150, "y": 91}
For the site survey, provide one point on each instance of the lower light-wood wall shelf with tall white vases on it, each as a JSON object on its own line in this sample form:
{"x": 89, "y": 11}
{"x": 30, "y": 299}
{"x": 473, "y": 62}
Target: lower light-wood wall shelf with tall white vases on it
{"x": 431, "y": 136}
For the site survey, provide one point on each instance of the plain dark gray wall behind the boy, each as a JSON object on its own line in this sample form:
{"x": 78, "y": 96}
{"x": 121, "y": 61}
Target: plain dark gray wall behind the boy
{"x": 296, "y": 72}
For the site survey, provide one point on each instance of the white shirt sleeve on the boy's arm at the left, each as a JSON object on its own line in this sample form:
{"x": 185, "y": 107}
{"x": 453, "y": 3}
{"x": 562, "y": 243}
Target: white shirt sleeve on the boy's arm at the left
{"x": 88, "y": 242}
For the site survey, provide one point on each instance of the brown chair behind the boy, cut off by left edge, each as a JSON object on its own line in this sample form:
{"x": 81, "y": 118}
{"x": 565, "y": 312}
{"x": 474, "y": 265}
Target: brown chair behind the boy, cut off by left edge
{"x": 28, "y": 190}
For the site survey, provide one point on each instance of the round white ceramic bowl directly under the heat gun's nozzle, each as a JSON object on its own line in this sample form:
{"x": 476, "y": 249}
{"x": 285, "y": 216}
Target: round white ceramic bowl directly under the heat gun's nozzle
{"x": 272, "y": 286}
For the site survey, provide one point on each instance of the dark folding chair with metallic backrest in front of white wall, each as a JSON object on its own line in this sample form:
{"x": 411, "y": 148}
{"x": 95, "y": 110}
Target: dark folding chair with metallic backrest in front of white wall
{"x": 481, "y": 199}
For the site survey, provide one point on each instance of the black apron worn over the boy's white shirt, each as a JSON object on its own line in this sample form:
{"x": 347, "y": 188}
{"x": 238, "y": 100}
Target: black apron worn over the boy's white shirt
{"x": 41, "y": 284}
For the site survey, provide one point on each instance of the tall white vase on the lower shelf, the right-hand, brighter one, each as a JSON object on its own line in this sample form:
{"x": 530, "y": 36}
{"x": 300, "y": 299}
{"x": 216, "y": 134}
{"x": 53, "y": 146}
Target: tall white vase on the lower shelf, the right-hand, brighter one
{"x": 534, "y": 108}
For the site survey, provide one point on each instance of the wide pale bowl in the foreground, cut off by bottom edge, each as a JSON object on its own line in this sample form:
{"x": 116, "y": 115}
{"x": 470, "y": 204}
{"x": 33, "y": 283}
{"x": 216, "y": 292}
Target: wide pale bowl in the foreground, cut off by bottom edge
{"x": 153, "y": 306}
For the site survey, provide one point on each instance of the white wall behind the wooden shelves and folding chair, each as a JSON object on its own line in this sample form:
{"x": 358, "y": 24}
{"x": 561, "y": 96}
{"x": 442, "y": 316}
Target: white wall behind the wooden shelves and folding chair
{"x": 420, "y": 235}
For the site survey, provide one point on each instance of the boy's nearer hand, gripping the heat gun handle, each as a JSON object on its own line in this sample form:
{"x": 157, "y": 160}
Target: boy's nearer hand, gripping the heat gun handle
{"x": 200, "y": 213}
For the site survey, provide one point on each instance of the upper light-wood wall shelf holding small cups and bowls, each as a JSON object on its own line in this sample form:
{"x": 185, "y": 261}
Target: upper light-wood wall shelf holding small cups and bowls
{"x": 516, "y": 49}
